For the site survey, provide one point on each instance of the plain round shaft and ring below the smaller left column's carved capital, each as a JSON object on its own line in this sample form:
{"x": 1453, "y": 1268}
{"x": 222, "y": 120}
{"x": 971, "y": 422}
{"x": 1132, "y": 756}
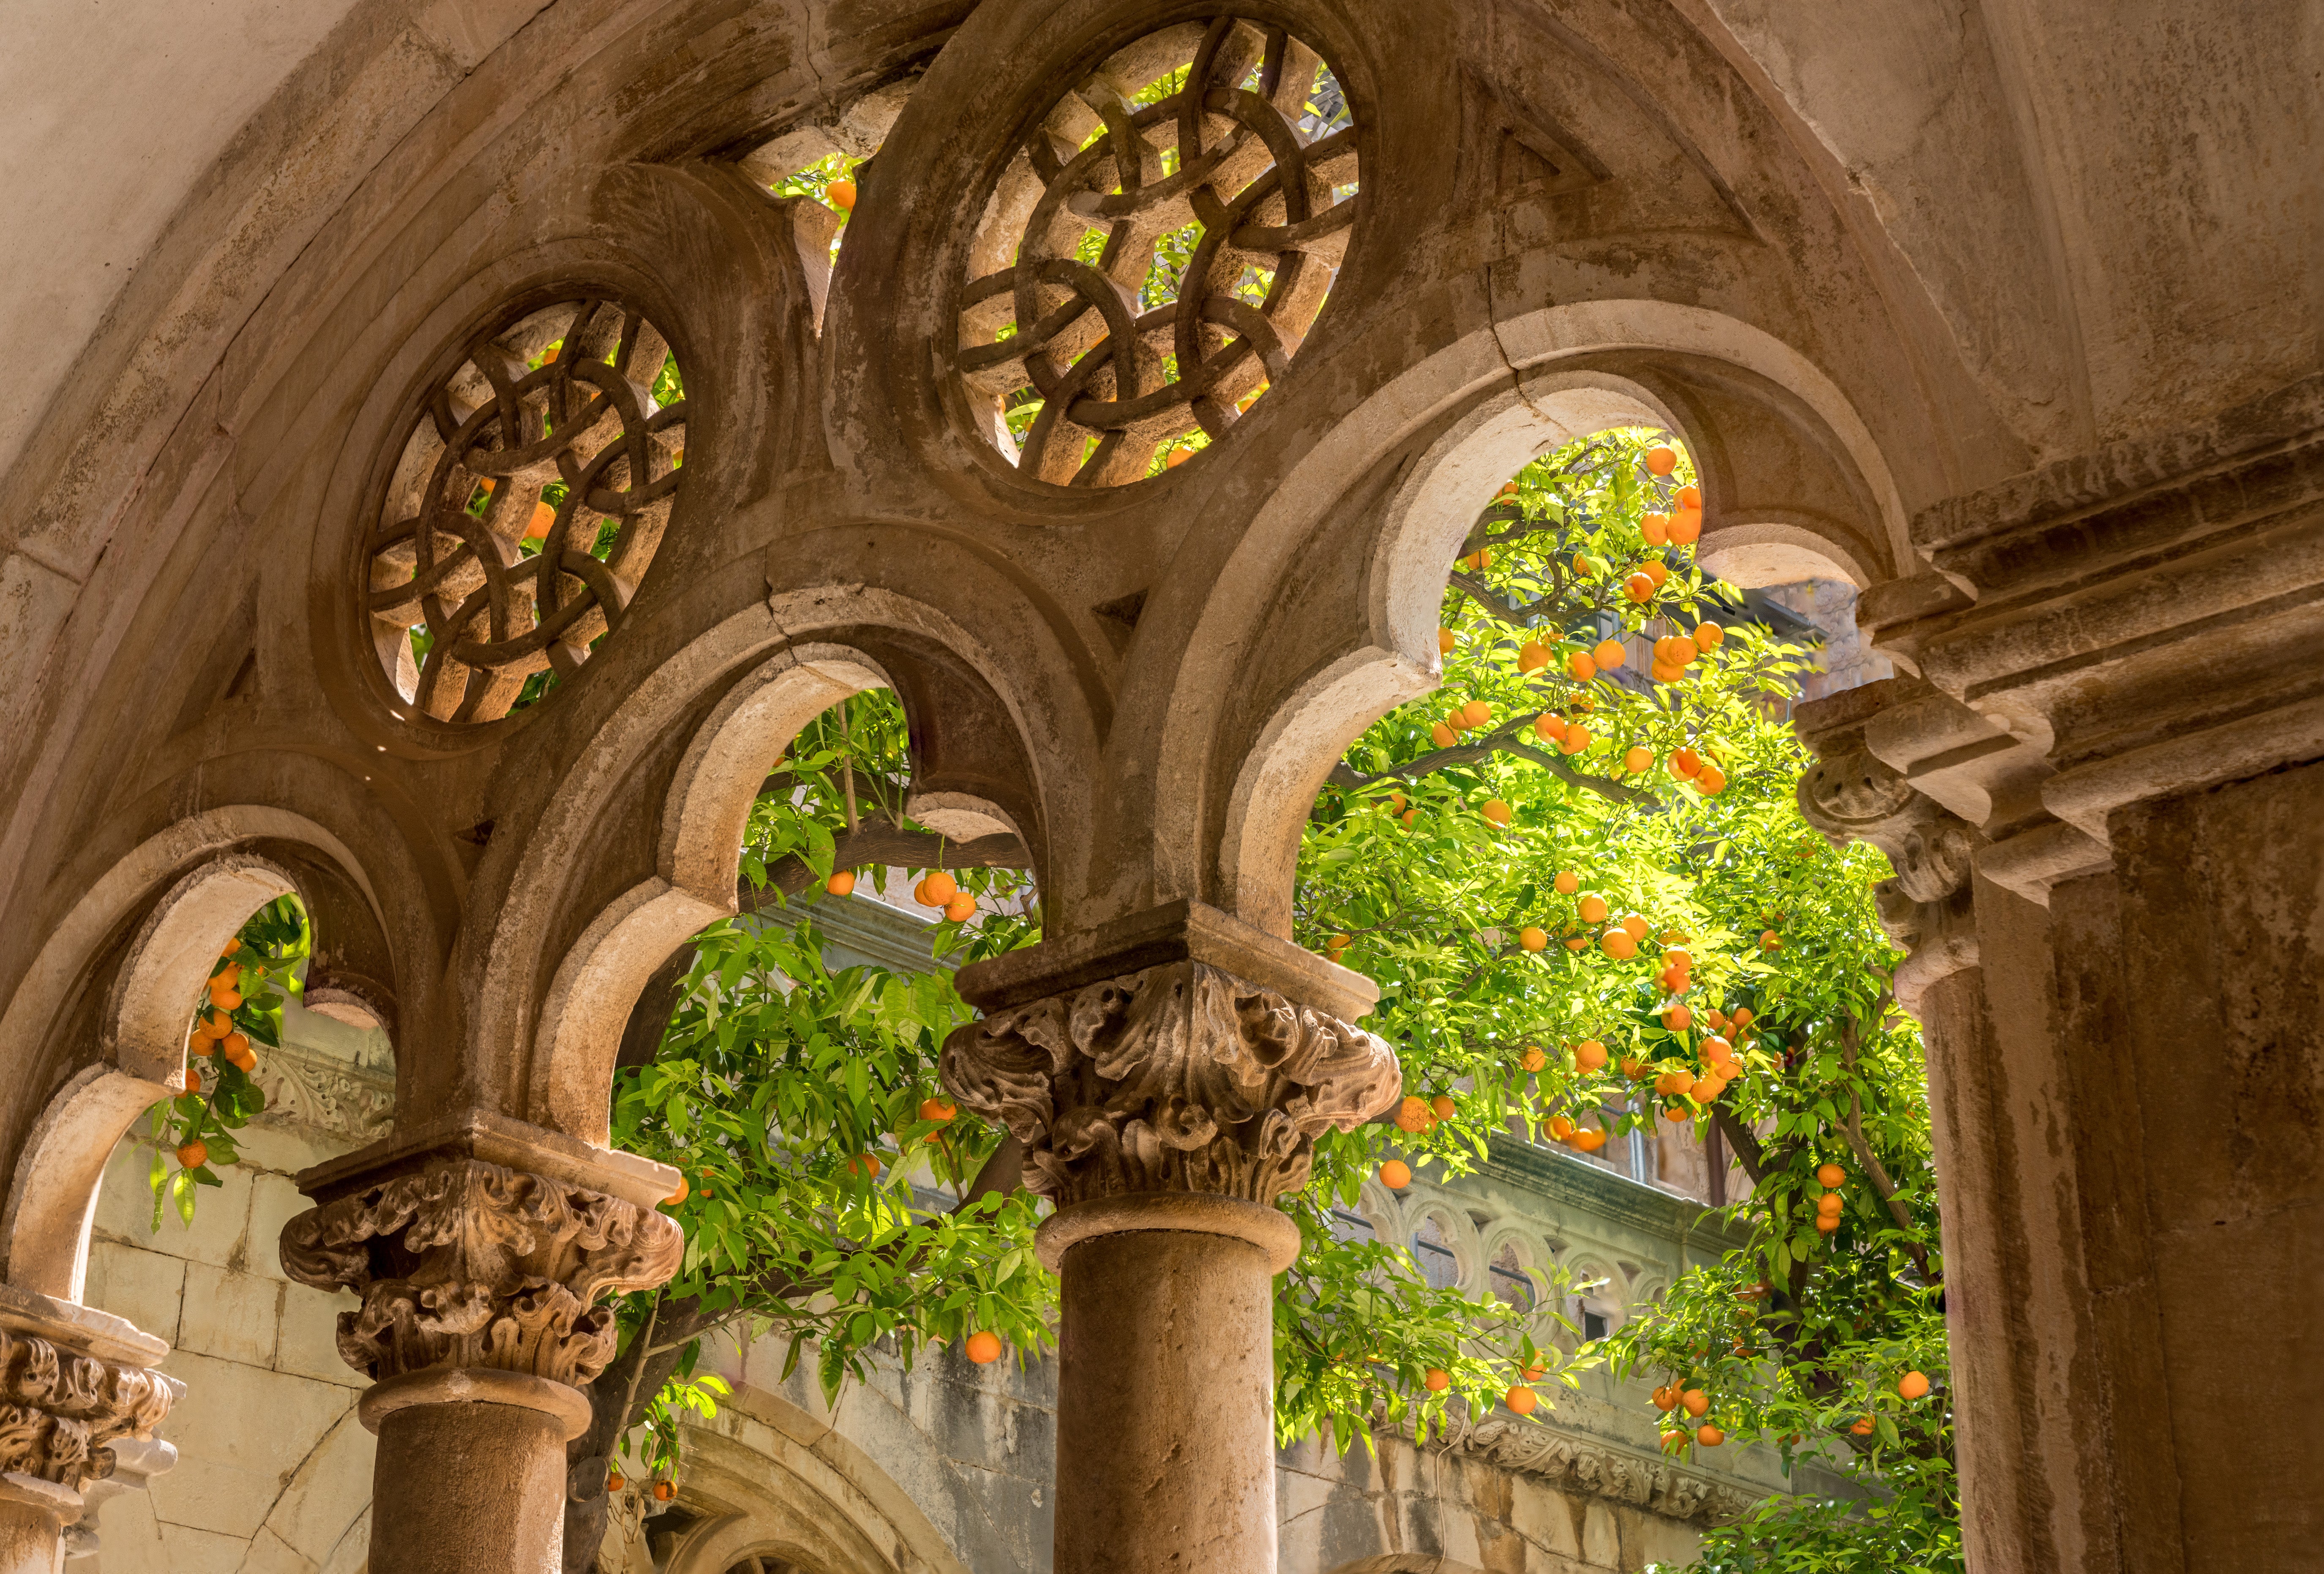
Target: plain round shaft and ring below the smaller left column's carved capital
{"x": 471, "y": 1471}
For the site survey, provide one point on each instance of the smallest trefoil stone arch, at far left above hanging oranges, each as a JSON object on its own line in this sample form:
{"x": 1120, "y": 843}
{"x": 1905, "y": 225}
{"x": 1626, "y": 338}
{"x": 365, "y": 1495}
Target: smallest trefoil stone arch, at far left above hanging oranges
{"x": 141, "y": 1031}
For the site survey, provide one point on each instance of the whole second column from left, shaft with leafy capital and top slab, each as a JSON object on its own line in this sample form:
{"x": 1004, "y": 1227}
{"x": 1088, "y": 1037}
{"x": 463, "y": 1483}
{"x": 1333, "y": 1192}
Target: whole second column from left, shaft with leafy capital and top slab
{"x": 480, "y": 1254}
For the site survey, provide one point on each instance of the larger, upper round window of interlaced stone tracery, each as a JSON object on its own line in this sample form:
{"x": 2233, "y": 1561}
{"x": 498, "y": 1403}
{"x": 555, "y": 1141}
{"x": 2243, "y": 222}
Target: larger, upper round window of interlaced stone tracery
{"x": 1159, "y": 250}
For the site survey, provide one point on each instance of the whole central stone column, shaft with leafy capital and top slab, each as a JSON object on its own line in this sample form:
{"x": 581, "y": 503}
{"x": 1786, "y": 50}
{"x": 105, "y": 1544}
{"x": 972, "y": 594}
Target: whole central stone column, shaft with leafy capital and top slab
{"x": 1165, "y": 1096}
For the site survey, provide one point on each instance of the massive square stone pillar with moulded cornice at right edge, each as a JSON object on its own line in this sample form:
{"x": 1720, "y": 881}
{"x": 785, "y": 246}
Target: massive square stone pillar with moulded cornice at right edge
{"x": 2118, "y": 694}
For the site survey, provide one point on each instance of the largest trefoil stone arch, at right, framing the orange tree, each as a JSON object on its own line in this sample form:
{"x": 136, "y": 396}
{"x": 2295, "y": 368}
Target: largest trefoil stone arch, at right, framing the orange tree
{"x": 1477, "y": 413}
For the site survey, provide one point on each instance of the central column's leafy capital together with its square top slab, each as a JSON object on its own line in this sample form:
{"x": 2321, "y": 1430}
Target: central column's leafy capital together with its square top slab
{"x": 1179, "y": 1075}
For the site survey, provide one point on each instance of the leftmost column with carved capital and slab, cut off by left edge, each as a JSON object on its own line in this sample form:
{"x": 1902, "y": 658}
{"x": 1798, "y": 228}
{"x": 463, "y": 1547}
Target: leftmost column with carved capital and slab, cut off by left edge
{"x": 76, "y": 1385}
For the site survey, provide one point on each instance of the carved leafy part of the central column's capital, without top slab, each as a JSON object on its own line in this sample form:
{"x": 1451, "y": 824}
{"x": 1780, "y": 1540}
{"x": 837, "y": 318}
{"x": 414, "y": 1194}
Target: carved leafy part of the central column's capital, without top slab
{"x": 1177, "y": 1078}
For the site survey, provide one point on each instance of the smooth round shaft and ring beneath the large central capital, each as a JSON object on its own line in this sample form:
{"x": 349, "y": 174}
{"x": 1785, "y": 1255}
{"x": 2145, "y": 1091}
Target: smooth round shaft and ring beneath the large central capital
{"x": 1165, "y": 1385}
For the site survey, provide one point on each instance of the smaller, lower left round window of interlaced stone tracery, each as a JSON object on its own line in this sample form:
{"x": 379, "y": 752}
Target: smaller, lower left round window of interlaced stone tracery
{"x": 526, "y": 508}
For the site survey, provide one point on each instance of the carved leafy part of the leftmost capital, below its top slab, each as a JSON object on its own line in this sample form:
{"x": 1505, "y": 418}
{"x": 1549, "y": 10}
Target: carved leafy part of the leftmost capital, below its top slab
{"x": 62, "y": 1410}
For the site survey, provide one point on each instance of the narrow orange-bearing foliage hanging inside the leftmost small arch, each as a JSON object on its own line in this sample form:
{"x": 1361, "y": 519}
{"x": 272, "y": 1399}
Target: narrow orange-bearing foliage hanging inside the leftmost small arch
{"x": 241, "y": 1008}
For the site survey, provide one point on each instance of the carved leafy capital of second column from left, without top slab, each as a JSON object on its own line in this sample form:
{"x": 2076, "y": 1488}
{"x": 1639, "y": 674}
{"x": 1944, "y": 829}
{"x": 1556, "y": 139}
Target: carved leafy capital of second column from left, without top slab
{"x": 466, "y": 1264}
